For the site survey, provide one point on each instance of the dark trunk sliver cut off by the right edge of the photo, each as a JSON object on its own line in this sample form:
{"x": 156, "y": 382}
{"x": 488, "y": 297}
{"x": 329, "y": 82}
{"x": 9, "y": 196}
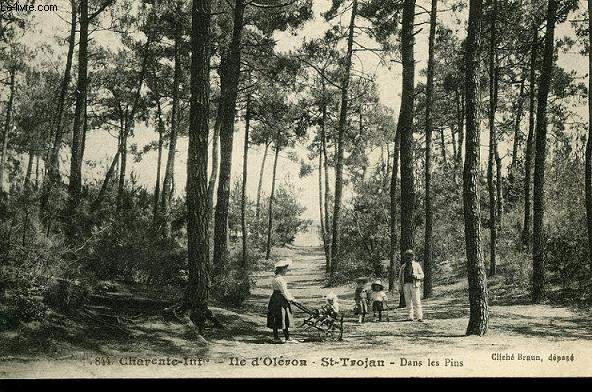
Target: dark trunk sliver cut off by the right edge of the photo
{"x": 588, "y": 175}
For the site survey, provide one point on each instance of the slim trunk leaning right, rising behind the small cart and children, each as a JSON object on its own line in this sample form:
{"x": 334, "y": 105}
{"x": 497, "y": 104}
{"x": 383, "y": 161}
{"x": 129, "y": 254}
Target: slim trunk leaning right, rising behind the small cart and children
{"x": 335, "y": 237}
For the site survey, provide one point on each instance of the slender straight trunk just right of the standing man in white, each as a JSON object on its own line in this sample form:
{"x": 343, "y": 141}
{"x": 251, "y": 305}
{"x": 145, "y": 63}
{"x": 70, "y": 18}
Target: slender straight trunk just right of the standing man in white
{"x": 429, "y": 214}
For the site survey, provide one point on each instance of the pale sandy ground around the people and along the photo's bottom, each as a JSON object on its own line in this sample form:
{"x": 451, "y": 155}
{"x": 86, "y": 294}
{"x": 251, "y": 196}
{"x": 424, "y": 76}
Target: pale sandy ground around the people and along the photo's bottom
{"x": 436, "y": 347}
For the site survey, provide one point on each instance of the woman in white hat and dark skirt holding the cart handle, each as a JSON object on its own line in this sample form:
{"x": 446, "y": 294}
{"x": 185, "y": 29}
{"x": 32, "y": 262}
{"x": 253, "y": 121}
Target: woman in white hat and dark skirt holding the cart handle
{"x": 279, "y": 312}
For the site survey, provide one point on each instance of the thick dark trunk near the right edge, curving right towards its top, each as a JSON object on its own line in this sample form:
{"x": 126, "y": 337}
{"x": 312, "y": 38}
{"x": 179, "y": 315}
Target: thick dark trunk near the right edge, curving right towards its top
{"x": 538, "y": 268}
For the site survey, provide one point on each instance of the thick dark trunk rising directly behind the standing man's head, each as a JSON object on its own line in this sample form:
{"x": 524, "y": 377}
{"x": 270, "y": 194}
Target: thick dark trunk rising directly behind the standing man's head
{"x": 407, "y": 238}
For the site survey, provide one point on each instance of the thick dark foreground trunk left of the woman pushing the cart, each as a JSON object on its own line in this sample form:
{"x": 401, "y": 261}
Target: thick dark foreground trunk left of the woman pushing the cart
{"x": 196, "y": 297}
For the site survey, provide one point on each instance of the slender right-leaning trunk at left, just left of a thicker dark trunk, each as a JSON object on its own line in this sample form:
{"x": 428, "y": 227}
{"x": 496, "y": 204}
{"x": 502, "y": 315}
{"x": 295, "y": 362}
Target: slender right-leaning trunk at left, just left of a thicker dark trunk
{"x": 53, "y": 171}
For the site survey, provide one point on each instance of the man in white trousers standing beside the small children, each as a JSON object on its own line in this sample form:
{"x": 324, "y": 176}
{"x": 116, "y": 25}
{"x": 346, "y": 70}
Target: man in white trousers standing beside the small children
{"x": 410, "y": 278}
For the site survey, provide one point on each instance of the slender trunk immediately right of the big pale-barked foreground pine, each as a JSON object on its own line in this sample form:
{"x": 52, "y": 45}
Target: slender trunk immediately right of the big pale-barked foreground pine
{"x": 491, "y": 182}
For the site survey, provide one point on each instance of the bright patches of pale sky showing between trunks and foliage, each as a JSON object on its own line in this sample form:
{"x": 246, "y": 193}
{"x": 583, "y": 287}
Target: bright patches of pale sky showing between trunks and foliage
{"x": 100, "y": 145}
